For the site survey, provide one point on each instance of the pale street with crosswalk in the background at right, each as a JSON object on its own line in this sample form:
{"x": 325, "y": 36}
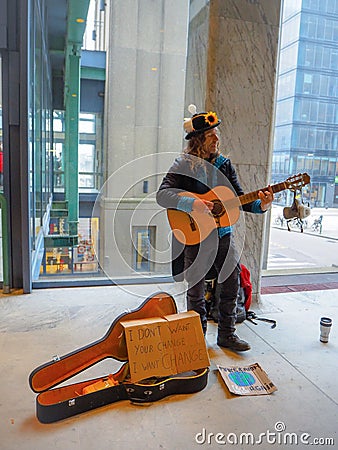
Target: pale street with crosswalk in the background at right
{"x": 307, "y": 250}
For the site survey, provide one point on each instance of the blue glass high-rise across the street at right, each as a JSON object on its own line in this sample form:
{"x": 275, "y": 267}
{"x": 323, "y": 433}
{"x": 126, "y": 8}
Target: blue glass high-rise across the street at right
{"x": 306, "y": 128}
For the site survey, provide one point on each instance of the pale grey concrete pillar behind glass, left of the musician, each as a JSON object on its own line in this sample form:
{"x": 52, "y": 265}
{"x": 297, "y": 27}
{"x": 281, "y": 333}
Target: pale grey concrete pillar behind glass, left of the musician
{"x": 144, "y": 109}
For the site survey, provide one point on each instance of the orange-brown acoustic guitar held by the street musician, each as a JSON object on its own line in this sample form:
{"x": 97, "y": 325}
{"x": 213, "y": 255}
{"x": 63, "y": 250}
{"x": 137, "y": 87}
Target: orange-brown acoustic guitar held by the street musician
{"x": 192, "y": 228}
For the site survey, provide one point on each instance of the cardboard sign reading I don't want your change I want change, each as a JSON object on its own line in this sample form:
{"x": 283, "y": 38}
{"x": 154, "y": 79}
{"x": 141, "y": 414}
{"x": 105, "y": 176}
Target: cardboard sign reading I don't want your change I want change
{"x": 165, "y": 346}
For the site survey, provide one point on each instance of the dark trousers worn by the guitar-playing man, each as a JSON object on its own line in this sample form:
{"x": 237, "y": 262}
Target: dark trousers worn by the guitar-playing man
{"x": 198, "y": 260}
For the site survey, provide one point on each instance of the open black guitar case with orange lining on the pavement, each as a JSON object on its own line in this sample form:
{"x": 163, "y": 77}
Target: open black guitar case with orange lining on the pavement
{"x": 53, "y": 404}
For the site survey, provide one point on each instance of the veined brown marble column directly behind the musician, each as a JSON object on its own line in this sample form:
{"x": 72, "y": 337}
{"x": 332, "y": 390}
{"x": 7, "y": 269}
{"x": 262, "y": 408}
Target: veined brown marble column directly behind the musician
{"x": 232, "y": 64}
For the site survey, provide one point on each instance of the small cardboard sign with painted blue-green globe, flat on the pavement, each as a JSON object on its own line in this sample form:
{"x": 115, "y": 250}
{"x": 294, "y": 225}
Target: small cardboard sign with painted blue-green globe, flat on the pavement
{"x": 250, "y": 380}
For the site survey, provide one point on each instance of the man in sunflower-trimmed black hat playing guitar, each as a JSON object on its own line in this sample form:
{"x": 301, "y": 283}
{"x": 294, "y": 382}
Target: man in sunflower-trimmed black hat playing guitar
{"x": 184, "y": 189}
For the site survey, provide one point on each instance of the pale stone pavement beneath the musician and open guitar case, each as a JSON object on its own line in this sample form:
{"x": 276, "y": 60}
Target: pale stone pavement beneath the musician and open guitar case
{"x": 37, "y": 326}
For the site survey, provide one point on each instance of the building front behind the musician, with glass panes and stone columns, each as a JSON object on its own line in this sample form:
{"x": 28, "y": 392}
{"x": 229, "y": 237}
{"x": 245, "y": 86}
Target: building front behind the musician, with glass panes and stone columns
{"x": 87, "y": 135}
